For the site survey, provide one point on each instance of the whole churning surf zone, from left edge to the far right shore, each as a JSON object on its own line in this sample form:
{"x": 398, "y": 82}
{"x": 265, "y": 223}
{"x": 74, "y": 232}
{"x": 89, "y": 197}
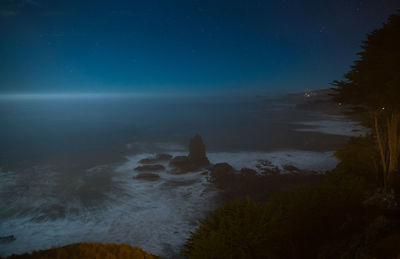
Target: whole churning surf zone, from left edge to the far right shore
{"x": 127, "y": 210}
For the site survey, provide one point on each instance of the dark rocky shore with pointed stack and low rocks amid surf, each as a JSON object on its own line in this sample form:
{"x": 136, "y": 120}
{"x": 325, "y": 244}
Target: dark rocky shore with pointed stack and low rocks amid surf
{"x": 259, "y": 183}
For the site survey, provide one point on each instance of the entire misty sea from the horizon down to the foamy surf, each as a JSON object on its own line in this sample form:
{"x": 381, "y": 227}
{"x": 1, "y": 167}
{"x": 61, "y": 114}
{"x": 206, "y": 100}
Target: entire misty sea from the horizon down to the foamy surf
{"x": 67, "y": 163}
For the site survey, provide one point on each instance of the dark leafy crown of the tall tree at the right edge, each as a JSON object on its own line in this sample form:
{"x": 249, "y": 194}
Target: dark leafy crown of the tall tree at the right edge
{"x": 374, "y": 79}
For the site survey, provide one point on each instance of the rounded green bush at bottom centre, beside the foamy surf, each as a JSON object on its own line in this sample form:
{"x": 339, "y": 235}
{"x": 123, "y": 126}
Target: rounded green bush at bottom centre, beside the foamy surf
{"x": 234, "y": 230}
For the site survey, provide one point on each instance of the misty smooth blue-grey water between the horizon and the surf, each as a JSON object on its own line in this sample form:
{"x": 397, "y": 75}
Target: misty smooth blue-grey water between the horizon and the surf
{"x": 43, "y": 127}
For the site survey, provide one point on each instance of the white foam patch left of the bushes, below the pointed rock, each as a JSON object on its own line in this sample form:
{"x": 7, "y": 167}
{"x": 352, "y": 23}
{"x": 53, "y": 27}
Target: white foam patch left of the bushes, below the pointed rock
{"x": 156, "y": 216}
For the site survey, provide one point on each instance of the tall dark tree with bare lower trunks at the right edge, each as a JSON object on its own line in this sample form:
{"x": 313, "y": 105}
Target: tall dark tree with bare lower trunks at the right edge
{"x": 373, "y": 85}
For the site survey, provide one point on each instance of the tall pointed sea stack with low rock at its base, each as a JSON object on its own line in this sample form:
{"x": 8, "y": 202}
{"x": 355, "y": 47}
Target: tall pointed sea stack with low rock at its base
{"x": 196, "y": 159}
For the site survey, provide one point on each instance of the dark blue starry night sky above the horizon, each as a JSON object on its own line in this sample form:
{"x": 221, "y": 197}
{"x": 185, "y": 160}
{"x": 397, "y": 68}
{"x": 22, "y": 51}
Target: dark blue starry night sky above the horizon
{"x": 171, "y": 46}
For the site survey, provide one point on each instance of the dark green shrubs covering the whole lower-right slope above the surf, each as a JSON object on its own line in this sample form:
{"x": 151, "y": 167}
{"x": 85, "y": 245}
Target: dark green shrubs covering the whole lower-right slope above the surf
{"x": 325, "y": 221}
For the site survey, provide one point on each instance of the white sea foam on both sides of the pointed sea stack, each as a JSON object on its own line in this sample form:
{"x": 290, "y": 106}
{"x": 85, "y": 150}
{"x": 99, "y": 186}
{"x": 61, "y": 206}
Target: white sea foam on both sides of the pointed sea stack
{"x": 156, "y": 216}
